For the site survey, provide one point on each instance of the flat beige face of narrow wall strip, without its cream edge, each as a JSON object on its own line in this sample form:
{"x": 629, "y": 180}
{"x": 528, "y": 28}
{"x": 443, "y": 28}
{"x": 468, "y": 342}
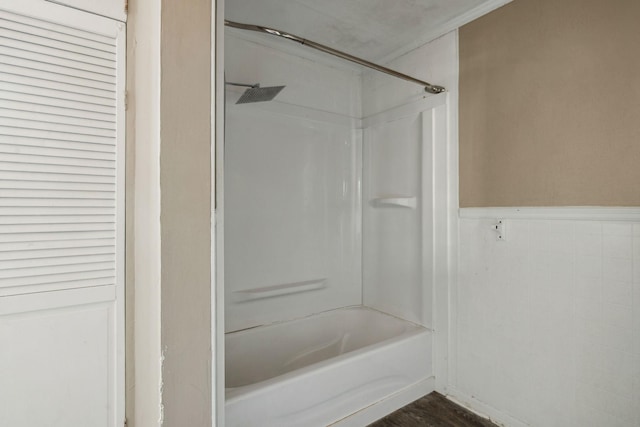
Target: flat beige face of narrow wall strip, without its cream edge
{"x": 185, "y": 182}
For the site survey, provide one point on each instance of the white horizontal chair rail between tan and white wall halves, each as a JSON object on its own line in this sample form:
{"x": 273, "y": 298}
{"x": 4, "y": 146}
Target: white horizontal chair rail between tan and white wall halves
{"x": 584, "y": 213}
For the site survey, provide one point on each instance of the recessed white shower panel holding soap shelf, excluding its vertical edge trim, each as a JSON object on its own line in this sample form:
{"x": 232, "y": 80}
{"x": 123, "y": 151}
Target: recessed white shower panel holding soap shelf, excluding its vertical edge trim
{"x": 392, "y": 252}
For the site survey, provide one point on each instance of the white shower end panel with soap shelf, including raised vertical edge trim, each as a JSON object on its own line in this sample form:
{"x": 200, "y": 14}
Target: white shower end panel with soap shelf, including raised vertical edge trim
{"x": 401, "y": 185}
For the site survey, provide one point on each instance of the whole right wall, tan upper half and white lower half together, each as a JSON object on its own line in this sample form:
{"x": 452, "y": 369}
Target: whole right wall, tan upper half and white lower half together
{"x": 547, "y": 323}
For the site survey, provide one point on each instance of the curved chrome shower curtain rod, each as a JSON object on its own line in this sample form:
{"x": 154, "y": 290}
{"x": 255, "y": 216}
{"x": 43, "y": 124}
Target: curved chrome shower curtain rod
{"x": 428, "y": 87}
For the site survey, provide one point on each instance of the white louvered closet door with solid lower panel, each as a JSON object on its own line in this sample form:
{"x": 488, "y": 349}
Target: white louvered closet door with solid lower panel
{"x": 61, "y": 216}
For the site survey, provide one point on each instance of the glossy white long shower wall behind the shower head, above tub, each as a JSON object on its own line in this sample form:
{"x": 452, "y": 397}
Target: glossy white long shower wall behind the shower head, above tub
{"x": 292, "y": 182}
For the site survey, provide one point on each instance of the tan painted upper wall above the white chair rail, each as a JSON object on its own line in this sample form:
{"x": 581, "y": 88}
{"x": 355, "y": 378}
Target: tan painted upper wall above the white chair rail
{"x": 550, "y": 105}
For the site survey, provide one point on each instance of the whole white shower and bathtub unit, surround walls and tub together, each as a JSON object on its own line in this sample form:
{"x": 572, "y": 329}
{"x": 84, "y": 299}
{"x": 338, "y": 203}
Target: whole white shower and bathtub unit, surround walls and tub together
{"x": 332, "y": 211}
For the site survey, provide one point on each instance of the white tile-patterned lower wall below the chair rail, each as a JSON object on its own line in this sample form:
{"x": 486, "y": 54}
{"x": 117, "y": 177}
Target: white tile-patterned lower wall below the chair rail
{"x": 548, "y": 321}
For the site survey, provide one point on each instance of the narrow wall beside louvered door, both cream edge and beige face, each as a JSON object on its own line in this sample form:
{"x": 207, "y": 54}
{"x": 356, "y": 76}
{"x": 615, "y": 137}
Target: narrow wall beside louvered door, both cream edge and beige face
{"x": 168, "y": 213}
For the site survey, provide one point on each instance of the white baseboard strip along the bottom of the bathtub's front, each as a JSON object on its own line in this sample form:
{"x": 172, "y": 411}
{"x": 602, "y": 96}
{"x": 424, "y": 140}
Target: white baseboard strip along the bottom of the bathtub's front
{"x": 386, "y": 406}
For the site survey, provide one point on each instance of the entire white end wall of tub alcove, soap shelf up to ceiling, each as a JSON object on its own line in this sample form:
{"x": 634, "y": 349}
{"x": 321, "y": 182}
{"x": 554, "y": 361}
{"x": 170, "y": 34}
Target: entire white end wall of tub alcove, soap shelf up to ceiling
{"x": 407, "y": 143}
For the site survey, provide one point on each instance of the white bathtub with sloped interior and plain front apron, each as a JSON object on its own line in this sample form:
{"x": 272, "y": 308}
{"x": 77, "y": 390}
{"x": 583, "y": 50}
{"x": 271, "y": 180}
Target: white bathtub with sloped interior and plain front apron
{"x": 344, "y": 367}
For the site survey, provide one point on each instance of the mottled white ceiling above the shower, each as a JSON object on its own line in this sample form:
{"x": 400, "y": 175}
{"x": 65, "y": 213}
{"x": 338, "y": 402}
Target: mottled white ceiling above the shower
{"x": 371, "y": 29}
